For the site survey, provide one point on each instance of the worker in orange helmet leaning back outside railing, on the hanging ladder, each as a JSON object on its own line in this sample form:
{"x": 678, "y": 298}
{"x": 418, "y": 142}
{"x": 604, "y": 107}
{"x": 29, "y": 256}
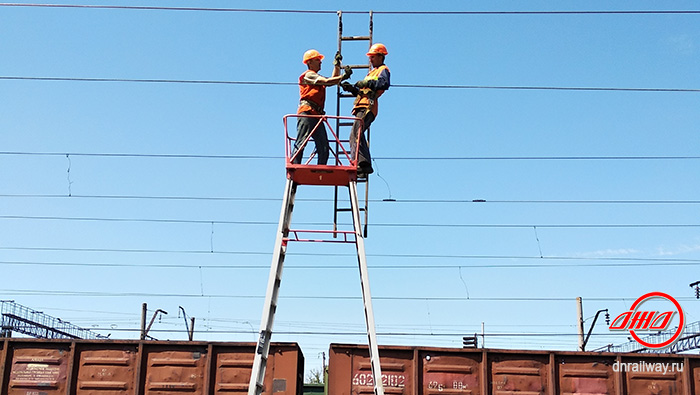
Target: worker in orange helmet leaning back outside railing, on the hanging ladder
{"x": 367, "y": 91}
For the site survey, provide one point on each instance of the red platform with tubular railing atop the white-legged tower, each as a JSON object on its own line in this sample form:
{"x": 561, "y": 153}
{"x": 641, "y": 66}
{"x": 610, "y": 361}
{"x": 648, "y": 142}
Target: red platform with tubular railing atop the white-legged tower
{"x": 341, "y": 167}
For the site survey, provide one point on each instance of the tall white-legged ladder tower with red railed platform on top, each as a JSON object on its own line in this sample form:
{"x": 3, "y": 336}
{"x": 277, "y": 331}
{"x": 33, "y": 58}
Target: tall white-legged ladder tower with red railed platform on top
{"x": 342, "y": 174}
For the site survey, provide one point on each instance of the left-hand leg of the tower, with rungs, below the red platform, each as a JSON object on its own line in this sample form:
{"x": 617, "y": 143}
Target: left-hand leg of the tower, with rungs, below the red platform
{"x": 257, "y": 376}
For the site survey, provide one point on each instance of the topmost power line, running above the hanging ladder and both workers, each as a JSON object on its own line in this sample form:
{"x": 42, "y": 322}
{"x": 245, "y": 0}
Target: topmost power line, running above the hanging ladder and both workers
{"x": 301, "y": 11}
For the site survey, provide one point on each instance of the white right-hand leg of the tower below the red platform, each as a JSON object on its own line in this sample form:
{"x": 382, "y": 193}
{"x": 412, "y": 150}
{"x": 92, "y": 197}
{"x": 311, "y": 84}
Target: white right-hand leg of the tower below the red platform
{"x": 366, "y": 295}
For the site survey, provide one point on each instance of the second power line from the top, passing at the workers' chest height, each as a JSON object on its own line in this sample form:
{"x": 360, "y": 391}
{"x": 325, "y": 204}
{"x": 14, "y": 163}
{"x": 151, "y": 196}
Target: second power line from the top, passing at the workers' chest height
{"x": 418, "y": 86}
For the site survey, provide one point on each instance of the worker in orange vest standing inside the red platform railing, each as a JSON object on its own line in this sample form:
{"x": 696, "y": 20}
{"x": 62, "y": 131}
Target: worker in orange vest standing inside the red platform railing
{"x": 312, "y": 92}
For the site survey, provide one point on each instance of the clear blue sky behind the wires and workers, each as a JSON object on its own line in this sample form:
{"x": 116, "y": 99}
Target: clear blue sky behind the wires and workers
{"x": 588, "y": 192}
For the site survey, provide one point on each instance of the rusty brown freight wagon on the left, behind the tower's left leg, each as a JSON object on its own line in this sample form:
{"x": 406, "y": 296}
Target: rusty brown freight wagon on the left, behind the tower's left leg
{"x": 99, "y": 367}
